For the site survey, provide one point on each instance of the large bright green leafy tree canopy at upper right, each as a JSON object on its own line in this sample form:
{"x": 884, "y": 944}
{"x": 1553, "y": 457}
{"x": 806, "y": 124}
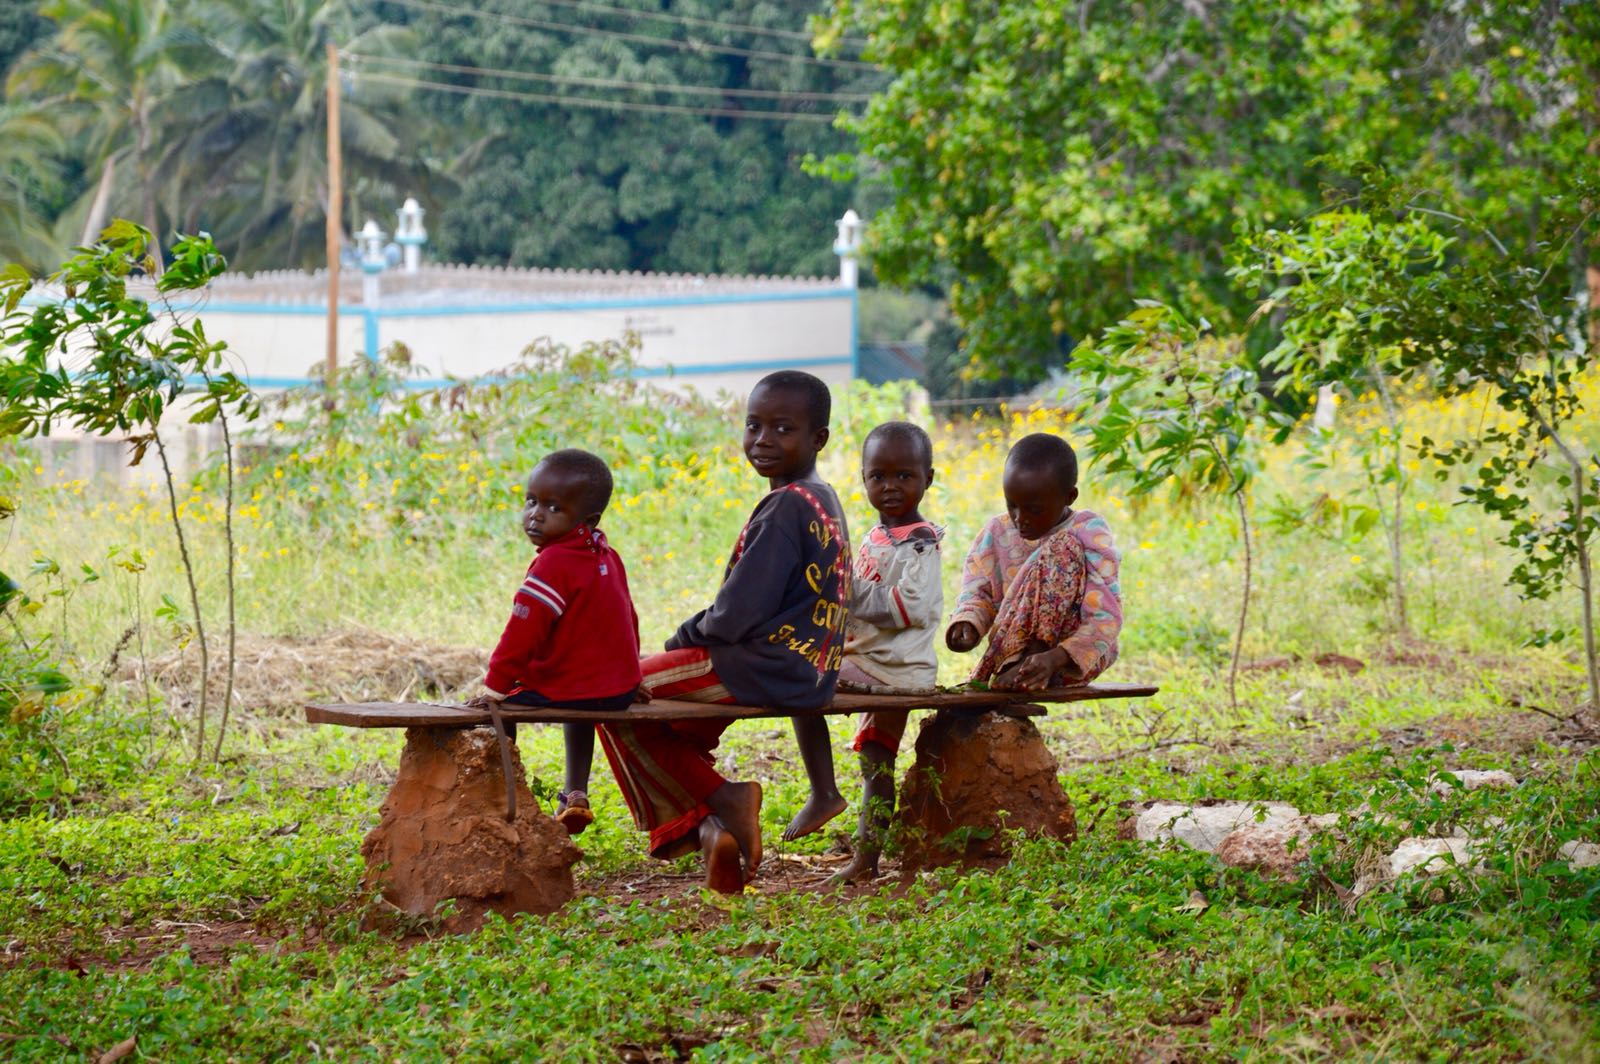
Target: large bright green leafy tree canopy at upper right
{"x": 1054, "y": 162}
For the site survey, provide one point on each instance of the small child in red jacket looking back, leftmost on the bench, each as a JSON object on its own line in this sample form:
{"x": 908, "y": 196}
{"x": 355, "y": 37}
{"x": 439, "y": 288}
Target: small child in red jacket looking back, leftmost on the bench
{"x": 574, "y": 636}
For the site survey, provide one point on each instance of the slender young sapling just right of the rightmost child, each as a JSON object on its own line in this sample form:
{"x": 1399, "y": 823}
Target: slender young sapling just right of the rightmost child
{"x": 1175, "y": 406}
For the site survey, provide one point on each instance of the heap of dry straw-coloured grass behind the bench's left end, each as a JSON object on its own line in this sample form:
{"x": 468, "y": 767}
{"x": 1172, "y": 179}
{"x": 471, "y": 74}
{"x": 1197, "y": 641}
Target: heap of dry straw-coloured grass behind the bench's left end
{"x": 284, "y": 673}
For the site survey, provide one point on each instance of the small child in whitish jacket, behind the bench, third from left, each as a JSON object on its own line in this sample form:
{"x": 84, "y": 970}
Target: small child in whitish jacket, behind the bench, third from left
{"x": 895, "y": 612}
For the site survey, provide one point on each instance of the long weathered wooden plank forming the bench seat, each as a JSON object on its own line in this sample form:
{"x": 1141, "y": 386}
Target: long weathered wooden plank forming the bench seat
{"x": 442, "y": 716}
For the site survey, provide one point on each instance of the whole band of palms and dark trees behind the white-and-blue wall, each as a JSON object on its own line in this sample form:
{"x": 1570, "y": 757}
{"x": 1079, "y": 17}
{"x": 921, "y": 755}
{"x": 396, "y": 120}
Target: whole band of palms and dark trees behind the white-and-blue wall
{"x": 212, "y": 116}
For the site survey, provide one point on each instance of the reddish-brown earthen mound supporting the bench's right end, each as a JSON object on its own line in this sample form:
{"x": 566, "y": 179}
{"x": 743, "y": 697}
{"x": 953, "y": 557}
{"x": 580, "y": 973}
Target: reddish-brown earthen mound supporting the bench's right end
{"x": 975, "y": 778}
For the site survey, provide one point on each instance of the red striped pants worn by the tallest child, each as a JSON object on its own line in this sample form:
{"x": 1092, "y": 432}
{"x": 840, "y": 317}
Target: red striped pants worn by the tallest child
{"x": 666, "y": 769}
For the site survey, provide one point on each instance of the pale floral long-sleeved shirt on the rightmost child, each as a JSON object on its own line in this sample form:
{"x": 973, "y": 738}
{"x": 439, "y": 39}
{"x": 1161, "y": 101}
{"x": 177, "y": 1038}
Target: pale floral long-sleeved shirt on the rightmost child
{"x": 999, "y": 556}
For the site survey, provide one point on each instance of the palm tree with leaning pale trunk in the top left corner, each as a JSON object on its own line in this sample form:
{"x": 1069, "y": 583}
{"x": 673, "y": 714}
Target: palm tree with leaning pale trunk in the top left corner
{"x": 108, "y": 70}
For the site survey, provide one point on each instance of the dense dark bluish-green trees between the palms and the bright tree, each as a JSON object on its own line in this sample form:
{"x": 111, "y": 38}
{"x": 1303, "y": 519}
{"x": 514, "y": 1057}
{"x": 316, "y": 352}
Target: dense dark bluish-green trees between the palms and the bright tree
{"x": 575, "y": 186}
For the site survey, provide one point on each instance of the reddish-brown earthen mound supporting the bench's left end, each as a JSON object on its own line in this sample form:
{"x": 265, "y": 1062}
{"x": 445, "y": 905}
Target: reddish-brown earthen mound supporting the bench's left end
{"x": 444, "y": 834}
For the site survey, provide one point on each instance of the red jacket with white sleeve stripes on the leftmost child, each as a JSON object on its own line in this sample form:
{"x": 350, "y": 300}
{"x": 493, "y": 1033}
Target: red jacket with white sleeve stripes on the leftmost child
{"x": 574, "y": 633}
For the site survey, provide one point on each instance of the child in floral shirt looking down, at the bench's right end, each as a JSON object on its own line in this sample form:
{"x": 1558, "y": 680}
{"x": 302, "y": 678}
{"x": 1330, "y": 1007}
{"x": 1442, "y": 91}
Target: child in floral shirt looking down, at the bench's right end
{"x": 1041, "y": 580}
